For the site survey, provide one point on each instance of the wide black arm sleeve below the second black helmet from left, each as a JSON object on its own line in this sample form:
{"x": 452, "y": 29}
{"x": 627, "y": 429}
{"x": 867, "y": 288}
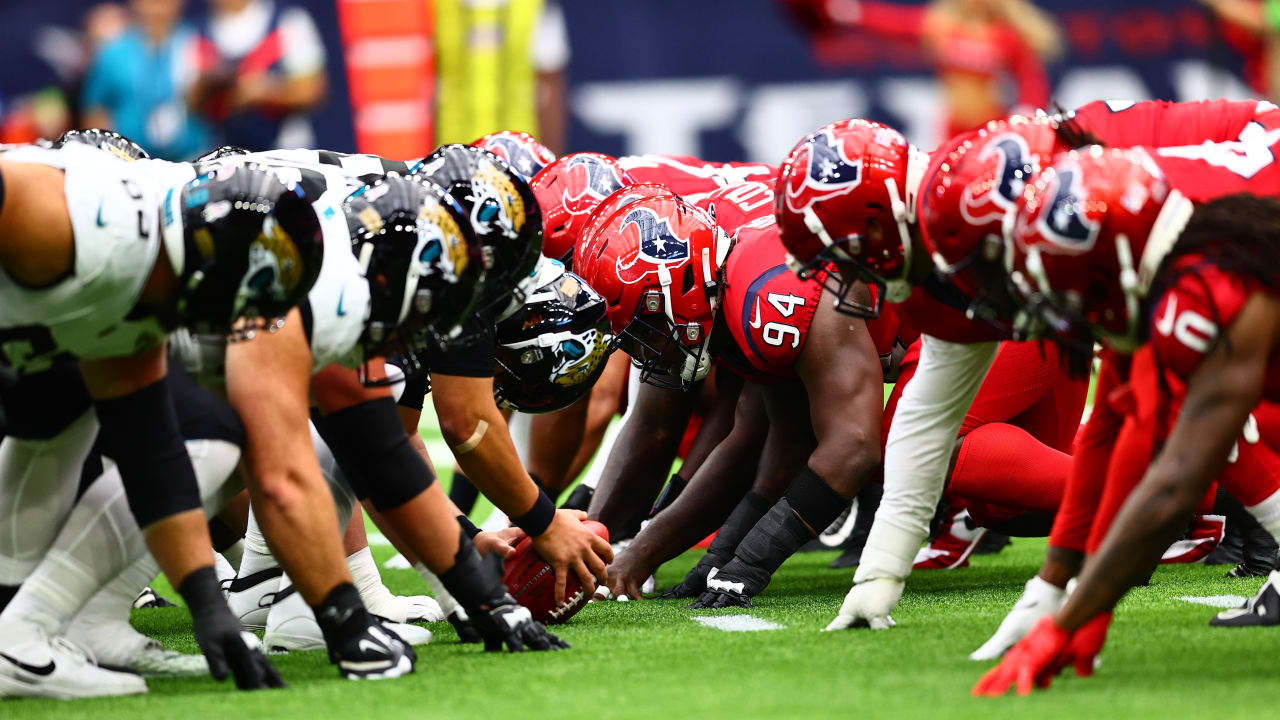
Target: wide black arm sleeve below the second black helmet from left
{"x": 374, "y": 452}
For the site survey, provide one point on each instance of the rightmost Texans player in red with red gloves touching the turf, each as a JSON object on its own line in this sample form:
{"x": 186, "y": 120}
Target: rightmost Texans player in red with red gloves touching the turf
{"x": 1174, "y": 261}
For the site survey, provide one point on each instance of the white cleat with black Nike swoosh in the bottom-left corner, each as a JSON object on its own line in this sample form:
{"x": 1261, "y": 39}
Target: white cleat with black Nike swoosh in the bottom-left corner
{"x": 35, "y": 666}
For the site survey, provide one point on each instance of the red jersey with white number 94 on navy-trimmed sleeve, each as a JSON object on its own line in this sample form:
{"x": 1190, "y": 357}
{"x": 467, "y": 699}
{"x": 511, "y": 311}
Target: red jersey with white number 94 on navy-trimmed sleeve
{"x": 766, "y": 308}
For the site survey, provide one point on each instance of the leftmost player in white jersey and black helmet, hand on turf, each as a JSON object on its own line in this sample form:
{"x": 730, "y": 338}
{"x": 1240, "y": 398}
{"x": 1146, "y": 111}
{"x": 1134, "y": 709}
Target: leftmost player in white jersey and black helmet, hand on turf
{"x": 81, "y": 240}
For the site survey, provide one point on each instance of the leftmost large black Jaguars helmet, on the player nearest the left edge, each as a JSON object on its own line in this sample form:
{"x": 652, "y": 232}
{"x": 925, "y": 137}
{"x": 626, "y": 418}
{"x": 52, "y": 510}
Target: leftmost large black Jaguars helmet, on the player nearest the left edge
{"x": 245, "y": 245}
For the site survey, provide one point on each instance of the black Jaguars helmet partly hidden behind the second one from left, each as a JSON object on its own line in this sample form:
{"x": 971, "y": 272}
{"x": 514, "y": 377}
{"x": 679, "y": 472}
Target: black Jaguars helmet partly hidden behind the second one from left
{"x": 505, "y": 217}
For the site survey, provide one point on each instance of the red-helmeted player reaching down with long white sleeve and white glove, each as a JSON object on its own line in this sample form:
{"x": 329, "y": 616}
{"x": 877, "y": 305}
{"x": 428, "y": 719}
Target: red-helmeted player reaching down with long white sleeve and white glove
{"x": 961, "y": 338}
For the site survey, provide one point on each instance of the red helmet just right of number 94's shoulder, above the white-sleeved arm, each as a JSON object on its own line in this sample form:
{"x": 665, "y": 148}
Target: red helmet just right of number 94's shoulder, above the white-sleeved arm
{"x": 847, "y": 195}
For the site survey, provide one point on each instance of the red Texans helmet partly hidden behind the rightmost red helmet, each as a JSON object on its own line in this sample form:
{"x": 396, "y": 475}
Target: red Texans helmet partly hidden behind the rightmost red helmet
{"x": 972, "y": 184}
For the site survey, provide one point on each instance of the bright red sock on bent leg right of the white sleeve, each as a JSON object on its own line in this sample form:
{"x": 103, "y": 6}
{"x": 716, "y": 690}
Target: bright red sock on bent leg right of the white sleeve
{"x": 1005, "y": 466}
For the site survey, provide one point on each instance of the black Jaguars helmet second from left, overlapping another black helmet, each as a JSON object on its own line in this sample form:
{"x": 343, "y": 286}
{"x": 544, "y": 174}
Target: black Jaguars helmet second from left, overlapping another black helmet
{"x": 422, "y": 261}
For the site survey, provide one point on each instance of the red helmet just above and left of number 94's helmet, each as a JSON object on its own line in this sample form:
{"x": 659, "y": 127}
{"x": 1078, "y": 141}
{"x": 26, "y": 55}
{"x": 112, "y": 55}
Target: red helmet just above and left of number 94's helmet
{"x": 568, "y": 192}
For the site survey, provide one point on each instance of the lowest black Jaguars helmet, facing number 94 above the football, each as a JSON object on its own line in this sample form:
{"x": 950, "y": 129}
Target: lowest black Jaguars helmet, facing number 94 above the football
{"x": 554, "y": 349}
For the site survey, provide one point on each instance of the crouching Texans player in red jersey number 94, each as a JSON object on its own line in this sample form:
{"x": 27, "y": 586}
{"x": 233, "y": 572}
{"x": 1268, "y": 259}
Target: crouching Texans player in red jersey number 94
{"x": 671, "y": 279}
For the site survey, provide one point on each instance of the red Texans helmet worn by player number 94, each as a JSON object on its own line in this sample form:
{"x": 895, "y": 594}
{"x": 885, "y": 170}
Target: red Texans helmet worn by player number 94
{"x": 660, "y": 270}
